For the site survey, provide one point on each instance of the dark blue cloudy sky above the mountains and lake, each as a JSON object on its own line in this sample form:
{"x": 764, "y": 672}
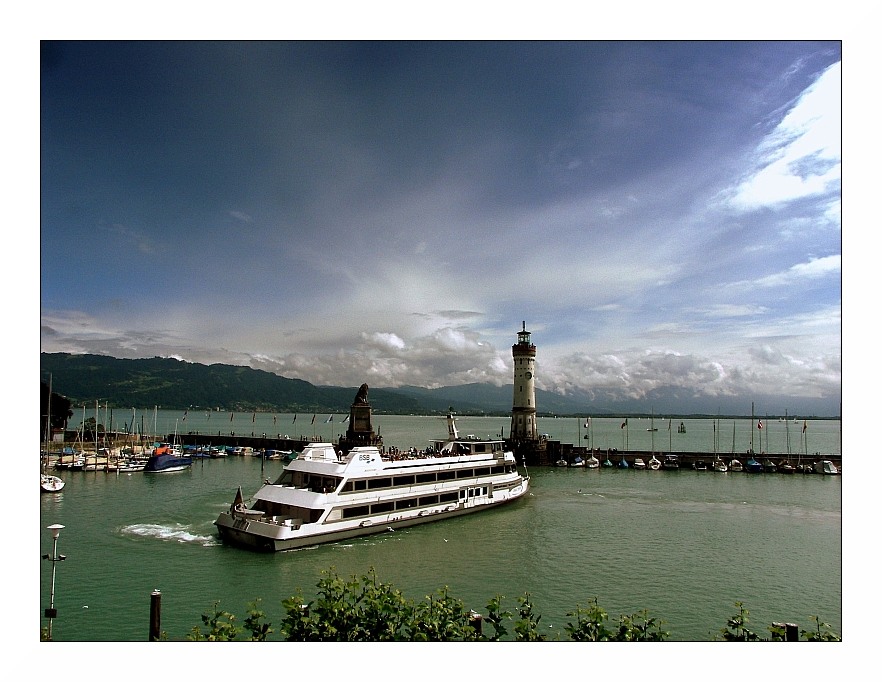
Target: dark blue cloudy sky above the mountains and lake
{"x": 657, "y": 213}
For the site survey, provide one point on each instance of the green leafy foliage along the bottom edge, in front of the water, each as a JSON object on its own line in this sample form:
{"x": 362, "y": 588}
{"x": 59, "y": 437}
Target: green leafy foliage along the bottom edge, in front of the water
{"x": 365, "y": 609}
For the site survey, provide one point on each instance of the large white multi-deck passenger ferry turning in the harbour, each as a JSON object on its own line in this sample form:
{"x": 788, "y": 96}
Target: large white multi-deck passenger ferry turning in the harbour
{"x": 323, "y": 496}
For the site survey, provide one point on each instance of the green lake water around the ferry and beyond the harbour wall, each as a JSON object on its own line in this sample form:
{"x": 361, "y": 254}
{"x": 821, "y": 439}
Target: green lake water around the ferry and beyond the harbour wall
{"x": 685, "y": 545}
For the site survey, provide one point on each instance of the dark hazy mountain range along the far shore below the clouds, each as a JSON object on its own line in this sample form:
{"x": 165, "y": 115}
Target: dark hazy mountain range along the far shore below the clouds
{"x": 174, "y": 384}
